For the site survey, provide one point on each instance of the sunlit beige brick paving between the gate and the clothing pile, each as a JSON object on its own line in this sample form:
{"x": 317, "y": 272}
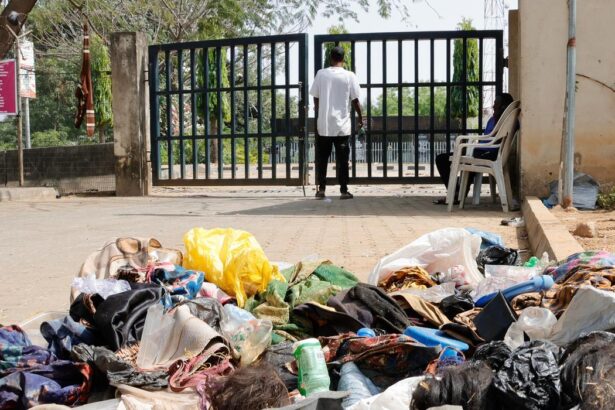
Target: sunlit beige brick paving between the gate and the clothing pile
{"x": 44, "y": 243}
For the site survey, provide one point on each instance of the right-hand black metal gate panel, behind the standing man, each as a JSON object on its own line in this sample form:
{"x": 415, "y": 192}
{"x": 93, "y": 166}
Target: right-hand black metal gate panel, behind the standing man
{"x": 415, "y": 110}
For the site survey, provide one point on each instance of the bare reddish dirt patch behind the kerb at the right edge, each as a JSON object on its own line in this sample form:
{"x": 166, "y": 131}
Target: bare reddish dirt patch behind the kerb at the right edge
{"x": 605, "y": 224}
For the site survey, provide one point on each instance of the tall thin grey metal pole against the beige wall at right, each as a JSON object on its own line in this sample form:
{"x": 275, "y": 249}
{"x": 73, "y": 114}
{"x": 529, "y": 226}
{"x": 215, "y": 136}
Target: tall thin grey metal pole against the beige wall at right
{"x": 568, "y": 136}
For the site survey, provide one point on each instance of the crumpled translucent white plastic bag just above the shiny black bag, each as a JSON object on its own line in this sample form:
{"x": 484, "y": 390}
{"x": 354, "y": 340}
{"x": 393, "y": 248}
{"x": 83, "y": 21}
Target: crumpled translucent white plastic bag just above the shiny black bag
{"x": 536, "y": 322}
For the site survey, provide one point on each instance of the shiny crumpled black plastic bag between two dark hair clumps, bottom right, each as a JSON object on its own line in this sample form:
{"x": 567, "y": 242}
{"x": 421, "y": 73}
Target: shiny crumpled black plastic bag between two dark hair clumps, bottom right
{"x": 529, "y": 378}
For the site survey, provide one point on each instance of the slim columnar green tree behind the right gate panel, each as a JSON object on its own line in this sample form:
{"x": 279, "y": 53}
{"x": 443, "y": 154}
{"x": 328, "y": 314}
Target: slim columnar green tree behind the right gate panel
{"x": 472, "y": 69}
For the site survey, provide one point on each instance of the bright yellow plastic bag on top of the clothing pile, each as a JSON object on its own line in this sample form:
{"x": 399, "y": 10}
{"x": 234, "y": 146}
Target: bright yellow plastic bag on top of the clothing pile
{"x": 232, "y": 259}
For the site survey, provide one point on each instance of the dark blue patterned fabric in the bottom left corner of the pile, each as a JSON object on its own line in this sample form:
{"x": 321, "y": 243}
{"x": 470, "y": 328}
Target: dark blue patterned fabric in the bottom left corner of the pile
{"x": 31, "y": 375}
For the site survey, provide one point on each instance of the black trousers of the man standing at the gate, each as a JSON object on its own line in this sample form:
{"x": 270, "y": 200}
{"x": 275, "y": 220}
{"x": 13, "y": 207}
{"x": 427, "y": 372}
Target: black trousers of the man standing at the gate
{"x": 324, "y": 145}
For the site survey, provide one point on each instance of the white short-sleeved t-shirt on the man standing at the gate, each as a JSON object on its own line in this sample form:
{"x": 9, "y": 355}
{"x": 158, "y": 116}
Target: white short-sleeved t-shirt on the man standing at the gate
{"x": 335, "y": 88}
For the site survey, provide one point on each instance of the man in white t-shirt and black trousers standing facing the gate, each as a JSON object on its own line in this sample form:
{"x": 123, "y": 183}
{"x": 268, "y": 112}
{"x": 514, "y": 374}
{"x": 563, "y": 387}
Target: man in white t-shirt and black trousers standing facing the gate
{"x": 334, "y": 89}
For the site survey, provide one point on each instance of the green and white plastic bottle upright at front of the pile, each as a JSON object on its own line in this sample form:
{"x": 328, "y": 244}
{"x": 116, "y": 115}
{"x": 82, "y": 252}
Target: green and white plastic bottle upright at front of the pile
{"x": 313, "y": 373}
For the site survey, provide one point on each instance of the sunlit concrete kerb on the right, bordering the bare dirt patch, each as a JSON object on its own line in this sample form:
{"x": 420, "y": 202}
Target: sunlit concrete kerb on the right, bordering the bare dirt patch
{"x": 546, "y": 233}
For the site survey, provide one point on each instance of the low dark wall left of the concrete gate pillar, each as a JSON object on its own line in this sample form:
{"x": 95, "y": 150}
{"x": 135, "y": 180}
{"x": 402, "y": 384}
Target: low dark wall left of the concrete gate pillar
{"x": 71, "y": 169}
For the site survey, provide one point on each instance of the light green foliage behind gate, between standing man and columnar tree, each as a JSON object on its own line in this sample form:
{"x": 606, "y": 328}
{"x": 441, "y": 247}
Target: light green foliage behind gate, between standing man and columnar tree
{"x": 407, "y": 101}
